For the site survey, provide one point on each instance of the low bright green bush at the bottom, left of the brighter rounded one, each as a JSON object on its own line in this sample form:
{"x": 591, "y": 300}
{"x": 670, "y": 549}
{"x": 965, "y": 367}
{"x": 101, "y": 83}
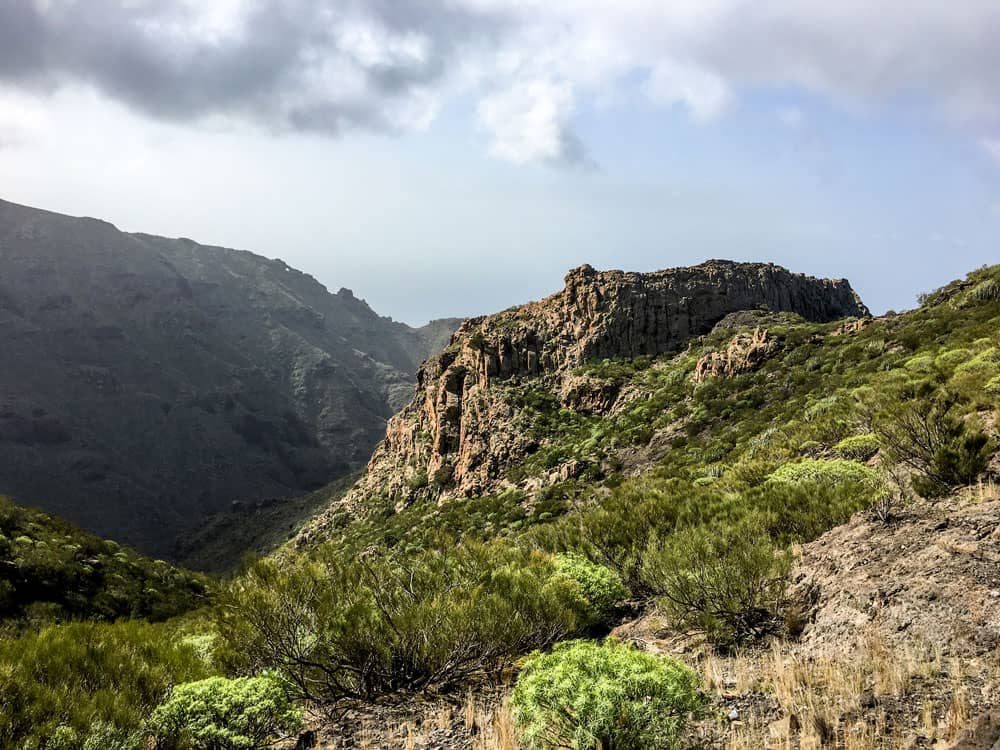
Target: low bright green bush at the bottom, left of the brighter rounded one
{"x": 222, "y": 714}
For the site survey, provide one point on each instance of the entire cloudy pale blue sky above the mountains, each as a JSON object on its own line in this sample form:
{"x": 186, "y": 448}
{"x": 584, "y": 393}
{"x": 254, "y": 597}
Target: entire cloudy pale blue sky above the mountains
{"x": 456, "y": 157}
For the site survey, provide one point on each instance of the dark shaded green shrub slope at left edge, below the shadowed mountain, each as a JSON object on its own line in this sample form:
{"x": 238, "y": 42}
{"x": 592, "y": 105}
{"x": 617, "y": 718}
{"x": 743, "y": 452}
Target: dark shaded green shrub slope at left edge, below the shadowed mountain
{"x": 50, "y": 570}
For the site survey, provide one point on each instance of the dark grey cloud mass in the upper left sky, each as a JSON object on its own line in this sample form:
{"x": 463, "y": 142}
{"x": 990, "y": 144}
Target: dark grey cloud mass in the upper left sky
{"x": 132, "y": 53}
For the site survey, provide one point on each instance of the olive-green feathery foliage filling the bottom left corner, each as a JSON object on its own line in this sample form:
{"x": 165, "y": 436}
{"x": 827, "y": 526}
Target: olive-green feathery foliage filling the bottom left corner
{"x": 90, "y": 685}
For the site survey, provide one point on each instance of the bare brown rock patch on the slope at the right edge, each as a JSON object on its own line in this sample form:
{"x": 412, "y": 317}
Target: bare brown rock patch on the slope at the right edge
{"x": 918, "y": 580}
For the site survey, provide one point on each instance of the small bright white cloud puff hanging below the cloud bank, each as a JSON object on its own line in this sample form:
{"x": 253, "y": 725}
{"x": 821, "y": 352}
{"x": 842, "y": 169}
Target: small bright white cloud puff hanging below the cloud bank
{"x": 531, "y": 122}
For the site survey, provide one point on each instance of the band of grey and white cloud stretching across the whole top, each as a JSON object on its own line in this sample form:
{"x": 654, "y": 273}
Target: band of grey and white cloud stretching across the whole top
{"x": 389, "y": 66}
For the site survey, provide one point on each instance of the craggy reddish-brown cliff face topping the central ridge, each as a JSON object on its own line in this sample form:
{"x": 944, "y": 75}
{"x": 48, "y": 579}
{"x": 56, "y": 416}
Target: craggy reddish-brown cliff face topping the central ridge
{"x": 457, "y": 437}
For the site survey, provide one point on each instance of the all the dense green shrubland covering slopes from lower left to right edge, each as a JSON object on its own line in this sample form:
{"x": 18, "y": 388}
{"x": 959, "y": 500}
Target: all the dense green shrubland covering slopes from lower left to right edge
{"x": 432, "y": 598}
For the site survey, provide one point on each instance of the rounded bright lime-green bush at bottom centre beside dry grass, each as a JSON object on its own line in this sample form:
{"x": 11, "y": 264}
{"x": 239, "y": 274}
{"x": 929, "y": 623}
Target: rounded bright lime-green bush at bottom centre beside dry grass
{"x": 586, "y": 696}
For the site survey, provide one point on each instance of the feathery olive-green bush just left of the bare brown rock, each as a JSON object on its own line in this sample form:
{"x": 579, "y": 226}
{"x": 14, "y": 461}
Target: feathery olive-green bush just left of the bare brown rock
{"x": 727, "y": 582}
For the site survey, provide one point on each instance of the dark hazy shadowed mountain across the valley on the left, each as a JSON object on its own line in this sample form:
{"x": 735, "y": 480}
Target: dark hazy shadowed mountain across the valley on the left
{"x": 149, "y": 382}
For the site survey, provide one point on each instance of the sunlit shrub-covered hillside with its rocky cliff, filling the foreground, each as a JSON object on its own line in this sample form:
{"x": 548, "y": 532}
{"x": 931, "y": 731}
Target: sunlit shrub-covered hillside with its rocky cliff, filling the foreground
{"x": 775, "y": 527}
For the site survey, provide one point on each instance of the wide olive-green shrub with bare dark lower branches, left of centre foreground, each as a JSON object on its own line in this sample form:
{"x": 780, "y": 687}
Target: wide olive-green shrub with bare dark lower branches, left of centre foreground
{"x": 359, "y": 628}
